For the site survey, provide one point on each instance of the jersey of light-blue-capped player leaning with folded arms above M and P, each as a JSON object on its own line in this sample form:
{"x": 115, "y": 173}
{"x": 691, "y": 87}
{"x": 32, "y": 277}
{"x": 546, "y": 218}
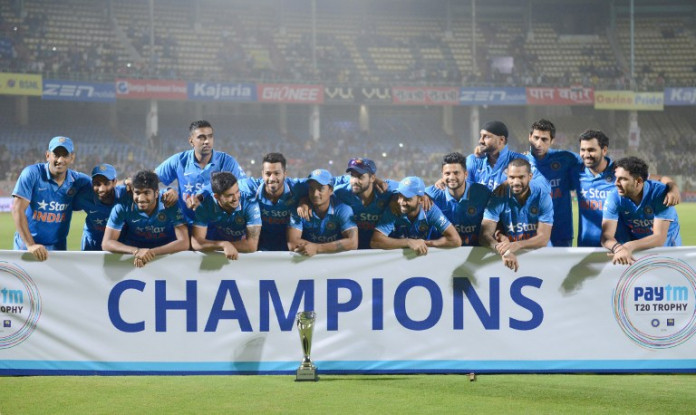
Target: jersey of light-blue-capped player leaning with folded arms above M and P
{"x": 338, "y": 219}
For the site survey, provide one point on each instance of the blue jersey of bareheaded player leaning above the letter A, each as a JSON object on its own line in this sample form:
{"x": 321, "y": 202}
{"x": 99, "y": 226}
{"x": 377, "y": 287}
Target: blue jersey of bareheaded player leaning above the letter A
{"x": 223, "y": 226}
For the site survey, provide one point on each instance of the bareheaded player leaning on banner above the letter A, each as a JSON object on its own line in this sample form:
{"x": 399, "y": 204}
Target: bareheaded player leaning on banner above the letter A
{"x": 227, "y": 221}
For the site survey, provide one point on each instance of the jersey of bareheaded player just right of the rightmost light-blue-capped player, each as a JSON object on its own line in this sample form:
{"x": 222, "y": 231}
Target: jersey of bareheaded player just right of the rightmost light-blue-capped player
{"x": 466, "y": 213}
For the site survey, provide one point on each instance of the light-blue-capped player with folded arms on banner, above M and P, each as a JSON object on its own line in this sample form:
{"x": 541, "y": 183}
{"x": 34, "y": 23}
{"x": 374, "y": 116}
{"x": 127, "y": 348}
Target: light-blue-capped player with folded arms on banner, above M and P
{"x": 330, "y": 228}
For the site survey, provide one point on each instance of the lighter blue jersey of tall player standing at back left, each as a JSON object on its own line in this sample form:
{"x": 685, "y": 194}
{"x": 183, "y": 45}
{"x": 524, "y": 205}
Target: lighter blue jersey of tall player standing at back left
{"x": 191, "y": 178}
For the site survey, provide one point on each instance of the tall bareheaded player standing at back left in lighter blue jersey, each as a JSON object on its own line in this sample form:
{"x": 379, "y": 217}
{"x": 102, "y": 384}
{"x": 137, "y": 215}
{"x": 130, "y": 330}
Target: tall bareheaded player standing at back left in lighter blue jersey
{"x": 192, "y": 169}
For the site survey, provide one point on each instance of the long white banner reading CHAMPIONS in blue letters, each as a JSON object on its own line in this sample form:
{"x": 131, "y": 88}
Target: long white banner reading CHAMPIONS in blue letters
{"x": 452, "y": 311}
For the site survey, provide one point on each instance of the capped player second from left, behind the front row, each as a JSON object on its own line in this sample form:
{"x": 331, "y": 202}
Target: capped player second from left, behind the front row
{"x": 98, "y": 203}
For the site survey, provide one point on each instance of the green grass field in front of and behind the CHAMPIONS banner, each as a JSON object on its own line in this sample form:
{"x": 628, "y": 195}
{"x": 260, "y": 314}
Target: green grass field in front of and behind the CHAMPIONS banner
{"x": 363, "y": 394}
